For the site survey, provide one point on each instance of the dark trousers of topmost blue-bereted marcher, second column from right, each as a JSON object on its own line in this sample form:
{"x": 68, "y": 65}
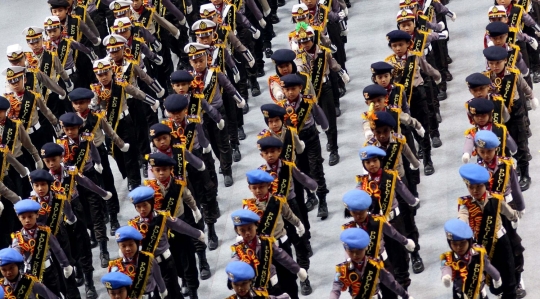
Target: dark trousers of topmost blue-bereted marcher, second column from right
{"x": 398, "y": 255}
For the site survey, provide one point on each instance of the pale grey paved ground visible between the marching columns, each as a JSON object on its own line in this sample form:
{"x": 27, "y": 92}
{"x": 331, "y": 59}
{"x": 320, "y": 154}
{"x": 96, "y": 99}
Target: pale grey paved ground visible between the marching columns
{"x": 369, "y": 22}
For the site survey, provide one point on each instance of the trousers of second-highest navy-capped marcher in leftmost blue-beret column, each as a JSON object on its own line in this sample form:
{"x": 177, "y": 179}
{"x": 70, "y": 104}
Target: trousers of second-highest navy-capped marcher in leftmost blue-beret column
{"x": 94, "y": 206}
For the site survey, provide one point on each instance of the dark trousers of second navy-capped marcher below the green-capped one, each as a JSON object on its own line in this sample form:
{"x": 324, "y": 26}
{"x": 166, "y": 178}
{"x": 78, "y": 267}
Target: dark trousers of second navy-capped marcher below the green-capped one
{"x": 311, "y": 160}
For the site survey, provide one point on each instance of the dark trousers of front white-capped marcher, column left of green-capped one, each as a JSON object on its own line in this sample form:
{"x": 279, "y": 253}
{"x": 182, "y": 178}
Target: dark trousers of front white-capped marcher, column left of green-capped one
{"x": 220, "y": 141}
